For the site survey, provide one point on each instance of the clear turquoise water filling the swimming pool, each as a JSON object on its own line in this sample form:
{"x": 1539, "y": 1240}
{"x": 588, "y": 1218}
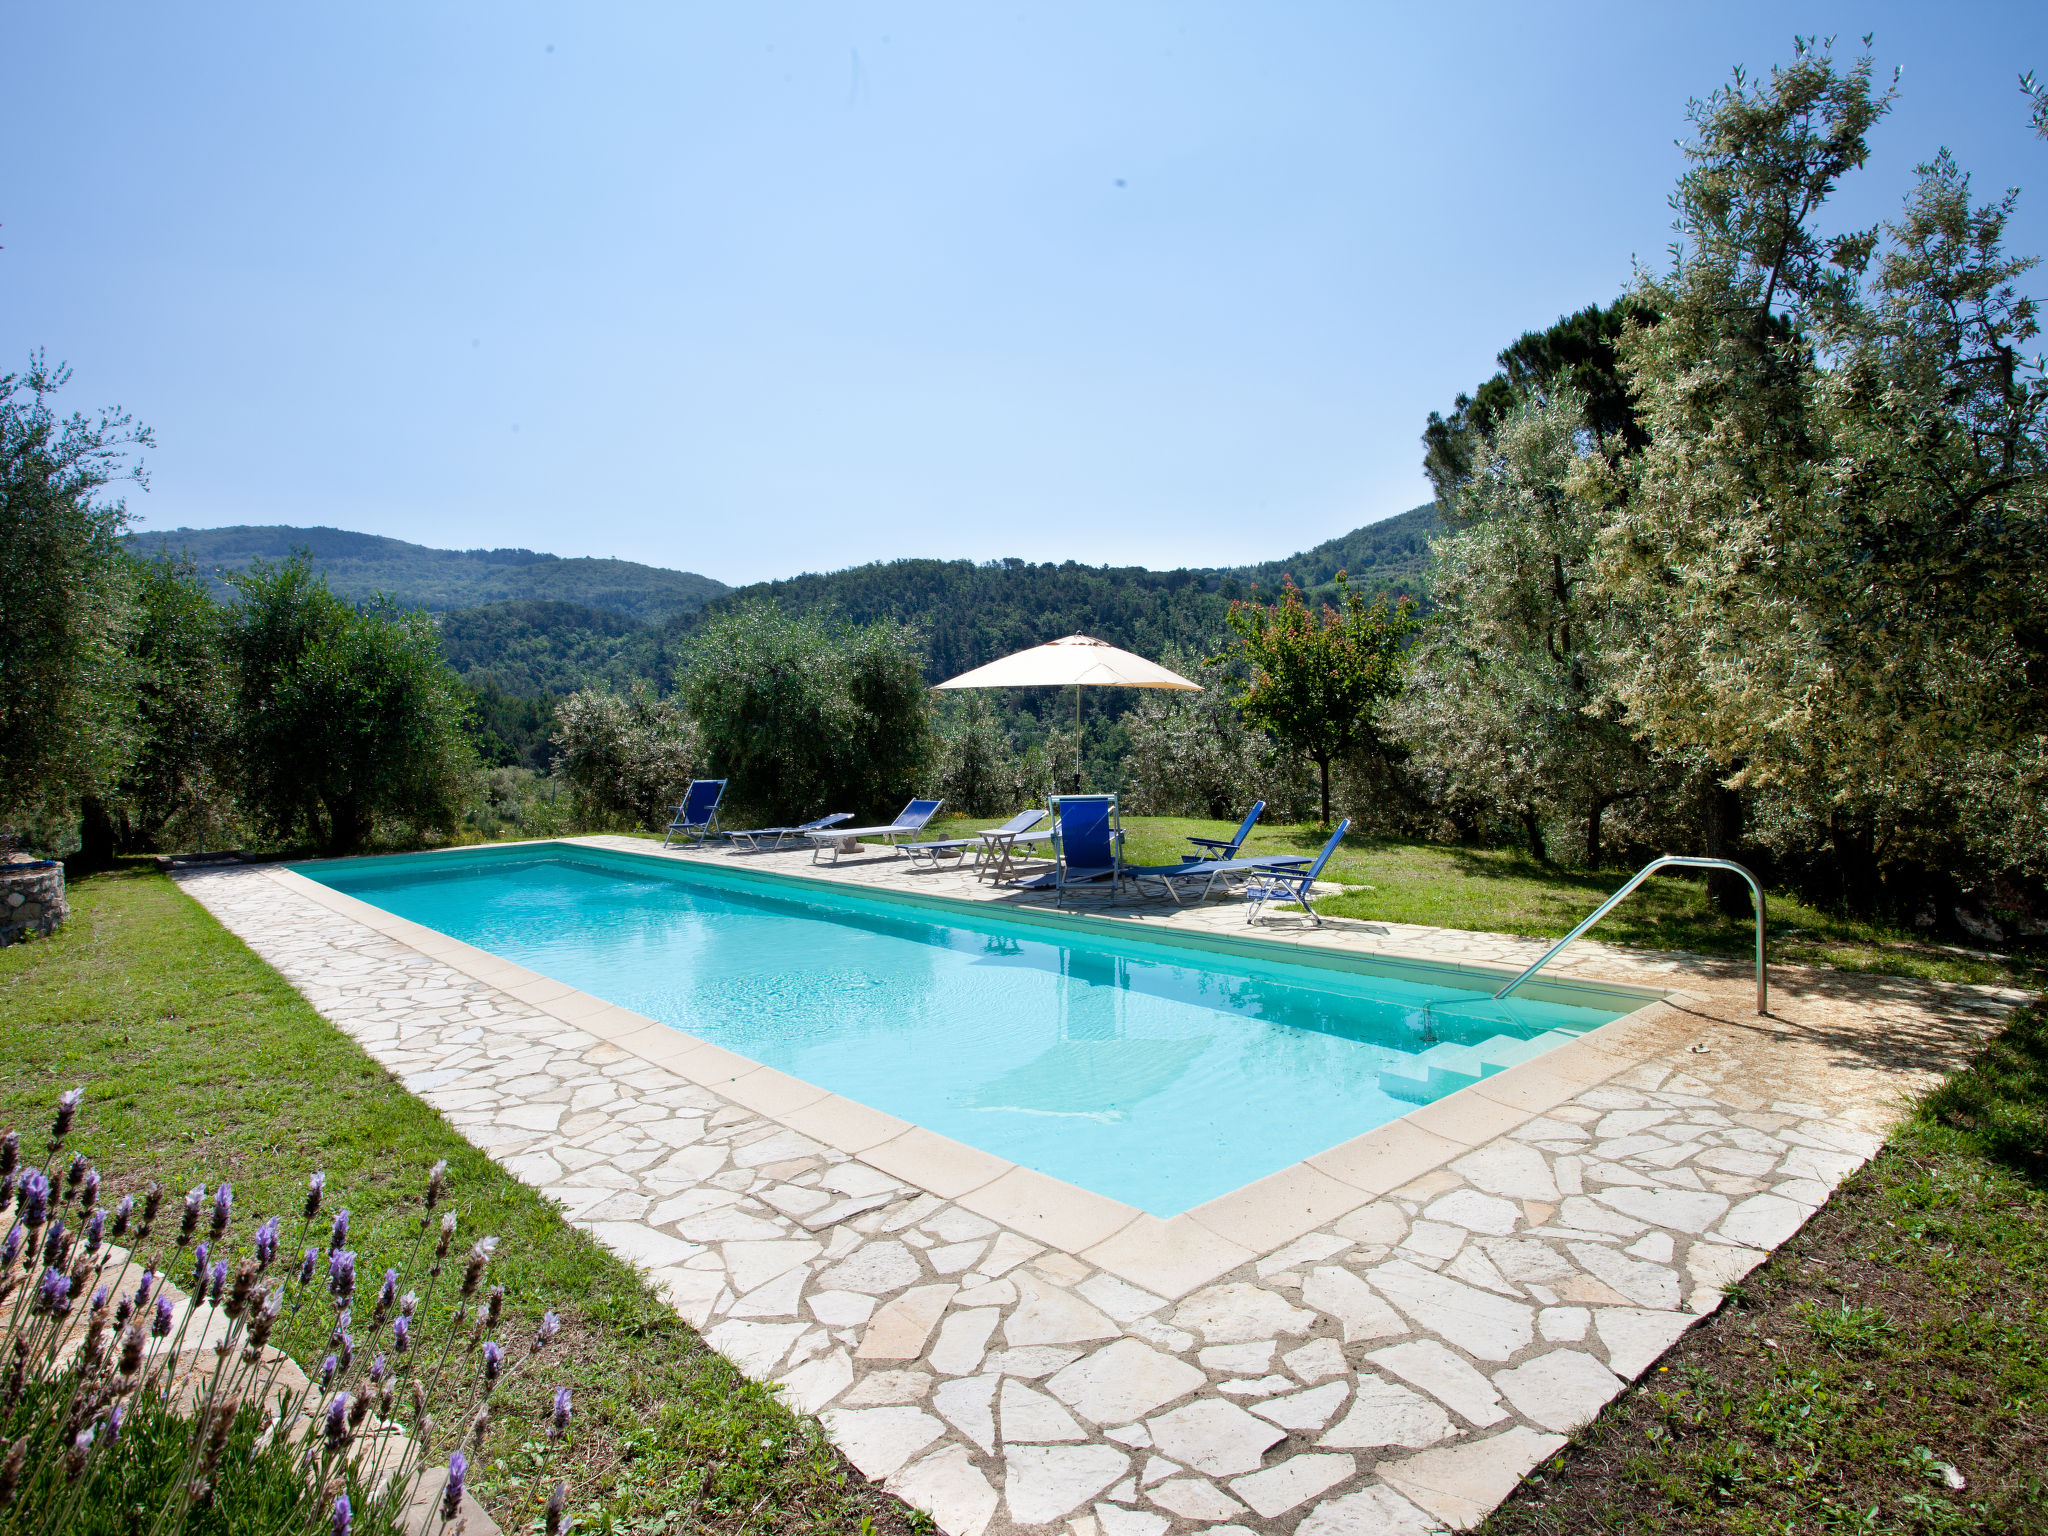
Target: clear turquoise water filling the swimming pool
{"x": 1148, "y": 1072}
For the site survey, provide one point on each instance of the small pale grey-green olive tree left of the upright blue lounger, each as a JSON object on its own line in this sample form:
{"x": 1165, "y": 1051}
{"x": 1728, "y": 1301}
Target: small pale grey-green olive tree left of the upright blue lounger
{"x": 628, "y": 759}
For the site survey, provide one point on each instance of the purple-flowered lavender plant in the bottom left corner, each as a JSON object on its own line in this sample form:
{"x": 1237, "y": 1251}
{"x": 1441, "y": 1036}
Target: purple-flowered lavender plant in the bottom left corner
{"x": 142, "y": 1396}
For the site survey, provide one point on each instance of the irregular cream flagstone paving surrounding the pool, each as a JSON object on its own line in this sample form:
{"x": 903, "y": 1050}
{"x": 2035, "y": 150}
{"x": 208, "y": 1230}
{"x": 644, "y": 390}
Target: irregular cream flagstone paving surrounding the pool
{"x": 1394, "y": 1371}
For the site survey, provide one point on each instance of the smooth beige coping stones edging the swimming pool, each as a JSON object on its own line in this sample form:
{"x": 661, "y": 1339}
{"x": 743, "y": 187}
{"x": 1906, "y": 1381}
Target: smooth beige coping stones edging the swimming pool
{"x": 1166, "y": 1254}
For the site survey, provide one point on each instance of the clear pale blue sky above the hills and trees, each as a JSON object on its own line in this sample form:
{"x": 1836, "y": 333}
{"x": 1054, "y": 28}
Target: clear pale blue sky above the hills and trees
{"x": 759, "y": 290}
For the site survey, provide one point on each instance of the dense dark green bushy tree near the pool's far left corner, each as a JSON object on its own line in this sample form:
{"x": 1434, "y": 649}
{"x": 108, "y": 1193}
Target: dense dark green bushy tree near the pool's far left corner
{"x": 345, "y": 716}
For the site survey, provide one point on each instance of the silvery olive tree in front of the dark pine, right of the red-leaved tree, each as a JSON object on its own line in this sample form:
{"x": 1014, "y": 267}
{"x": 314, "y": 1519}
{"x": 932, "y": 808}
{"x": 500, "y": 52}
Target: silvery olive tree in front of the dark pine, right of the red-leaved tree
{"x": 1508, "y": 710}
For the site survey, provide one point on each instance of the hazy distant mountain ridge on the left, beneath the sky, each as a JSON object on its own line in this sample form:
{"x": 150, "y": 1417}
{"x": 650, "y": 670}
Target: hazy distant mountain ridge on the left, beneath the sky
{"x": 361, "y": 564}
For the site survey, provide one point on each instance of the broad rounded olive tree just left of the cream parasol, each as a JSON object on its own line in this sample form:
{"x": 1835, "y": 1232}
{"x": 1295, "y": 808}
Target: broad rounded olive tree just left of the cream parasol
{"x": 808, "y": 716}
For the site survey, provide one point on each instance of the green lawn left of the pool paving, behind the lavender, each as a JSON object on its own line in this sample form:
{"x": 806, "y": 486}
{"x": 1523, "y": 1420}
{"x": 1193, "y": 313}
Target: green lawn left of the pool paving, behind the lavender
{"x": 202, "y": 1064}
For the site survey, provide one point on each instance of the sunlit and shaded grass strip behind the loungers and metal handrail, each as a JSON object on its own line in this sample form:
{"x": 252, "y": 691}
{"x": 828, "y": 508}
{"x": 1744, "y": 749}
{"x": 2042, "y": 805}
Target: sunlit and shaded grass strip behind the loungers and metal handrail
{"x": 1500, "y": 892}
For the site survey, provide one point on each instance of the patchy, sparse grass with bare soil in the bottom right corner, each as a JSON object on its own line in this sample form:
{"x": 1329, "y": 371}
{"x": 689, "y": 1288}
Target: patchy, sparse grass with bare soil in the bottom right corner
{"x": 1887, "y": 1371}
